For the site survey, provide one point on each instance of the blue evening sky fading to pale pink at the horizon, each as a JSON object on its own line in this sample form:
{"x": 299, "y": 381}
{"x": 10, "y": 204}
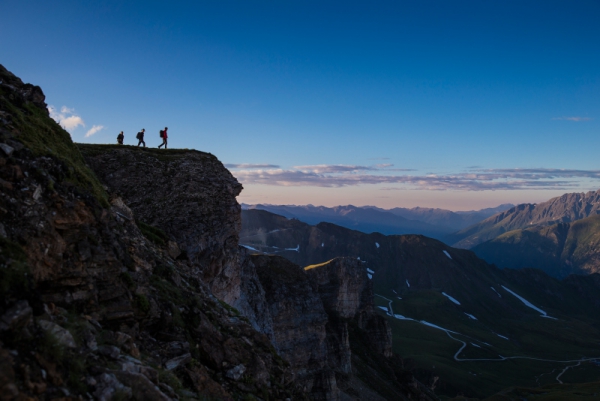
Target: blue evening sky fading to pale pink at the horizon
{"x": 459, "y": 105}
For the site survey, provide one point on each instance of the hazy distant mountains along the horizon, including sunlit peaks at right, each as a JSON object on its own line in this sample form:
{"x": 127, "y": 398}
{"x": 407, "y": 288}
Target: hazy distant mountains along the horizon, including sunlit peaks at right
{"x": 559, "y": 236}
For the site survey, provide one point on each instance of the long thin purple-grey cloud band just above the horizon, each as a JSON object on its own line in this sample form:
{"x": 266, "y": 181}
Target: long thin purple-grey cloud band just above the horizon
{"x": 472, "y": 180}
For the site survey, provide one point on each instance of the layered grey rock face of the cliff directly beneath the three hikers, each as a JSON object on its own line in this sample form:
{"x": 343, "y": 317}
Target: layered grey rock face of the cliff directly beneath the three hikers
{"x": 187, "y": 194}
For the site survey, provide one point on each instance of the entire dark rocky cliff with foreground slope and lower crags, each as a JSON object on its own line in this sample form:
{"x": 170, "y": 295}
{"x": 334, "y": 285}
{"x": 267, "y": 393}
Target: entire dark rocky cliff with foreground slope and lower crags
{"x": 120, "y": 267}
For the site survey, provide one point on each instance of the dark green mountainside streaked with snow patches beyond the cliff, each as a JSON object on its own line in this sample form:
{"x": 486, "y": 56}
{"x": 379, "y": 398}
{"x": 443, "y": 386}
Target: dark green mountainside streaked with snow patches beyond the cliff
{"x": 455, "y": 318}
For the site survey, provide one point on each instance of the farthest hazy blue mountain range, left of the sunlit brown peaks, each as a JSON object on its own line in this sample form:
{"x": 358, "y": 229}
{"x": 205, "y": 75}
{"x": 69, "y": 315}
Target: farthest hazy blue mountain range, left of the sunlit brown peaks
{"x": 434, "y": 223}
